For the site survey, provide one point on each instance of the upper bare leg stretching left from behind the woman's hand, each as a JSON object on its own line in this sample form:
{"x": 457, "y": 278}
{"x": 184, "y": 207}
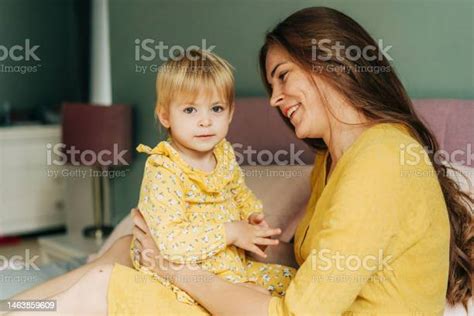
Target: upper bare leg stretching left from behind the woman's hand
{"x": 118, "y": 253}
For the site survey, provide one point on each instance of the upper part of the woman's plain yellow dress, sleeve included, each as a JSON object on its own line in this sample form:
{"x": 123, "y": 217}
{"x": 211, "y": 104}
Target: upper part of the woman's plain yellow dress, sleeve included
{"x": 382, "y": 204}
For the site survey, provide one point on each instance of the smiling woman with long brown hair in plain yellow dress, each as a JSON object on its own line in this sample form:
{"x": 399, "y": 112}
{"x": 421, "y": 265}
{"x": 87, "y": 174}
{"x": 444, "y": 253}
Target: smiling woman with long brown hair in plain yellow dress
{"x": 376, "y": 238}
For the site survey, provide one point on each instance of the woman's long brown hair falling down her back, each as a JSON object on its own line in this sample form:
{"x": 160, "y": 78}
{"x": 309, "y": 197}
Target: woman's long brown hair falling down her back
{"x": 382, "y": 98}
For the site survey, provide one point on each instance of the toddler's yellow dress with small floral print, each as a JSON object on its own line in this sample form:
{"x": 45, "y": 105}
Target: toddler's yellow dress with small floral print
{"x": 186, "y": 208}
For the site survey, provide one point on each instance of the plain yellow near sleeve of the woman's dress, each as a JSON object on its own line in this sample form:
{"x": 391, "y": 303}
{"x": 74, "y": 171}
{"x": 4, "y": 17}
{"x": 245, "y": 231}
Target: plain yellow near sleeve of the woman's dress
{"x": 351, "y": 246}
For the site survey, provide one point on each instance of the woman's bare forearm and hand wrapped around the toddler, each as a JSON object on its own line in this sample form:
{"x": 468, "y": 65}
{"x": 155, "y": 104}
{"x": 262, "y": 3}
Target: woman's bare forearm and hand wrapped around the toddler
{"x": 218, "y": 296}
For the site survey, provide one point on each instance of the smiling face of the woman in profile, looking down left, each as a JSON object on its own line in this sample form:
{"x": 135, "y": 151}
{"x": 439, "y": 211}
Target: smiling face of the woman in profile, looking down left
{"x": 295, "y": 94}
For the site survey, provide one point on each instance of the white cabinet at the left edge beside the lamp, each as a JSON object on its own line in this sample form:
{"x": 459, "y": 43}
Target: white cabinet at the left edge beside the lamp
{"x": 31, "y": 191}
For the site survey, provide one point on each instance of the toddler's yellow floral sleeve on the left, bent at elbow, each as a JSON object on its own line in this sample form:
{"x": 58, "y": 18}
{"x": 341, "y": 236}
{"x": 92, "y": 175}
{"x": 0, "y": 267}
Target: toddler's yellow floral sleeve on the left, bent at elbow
{"x": 163, "y": 207}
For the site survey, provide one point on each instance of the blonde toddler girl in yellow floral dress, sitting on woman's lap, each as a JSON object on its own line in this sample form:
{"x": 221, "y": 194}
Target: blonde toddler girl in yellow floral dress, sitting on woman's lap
{"x": 193, "y": 196}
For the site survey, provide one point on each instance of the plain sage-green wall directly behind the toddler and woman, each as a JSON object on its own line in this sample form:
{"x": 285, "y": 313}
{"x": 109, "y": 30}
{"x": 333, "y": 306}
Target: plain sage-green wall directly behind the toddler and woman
{"x": 433, "y": 49}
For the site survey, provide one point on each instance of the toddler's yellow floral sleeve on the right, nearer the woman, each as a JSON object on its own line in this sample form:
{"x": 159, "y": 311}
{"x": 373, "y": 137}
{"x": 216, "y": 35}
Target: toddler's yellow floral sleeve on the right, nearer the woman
{"x": 244, "y": 197}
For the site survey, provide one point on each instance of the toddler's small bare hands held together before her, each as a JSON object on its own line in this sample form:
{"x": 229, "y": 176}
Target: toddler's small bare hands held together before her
{"x": 248, "y": 236}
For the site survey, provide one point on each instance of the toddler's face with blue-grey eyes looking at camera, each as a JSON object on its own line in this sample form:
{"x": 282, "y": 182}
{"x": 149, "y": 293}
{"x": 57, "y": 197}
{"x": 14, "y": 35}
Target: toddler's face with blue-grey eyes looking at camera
{"x": 198, "y": 125}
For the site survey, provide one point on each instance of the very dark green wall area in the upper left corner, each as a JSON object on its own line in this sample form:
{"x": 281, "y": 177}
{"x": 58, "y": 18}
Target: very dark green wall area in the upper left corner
{"x": 60, "y": 29}
